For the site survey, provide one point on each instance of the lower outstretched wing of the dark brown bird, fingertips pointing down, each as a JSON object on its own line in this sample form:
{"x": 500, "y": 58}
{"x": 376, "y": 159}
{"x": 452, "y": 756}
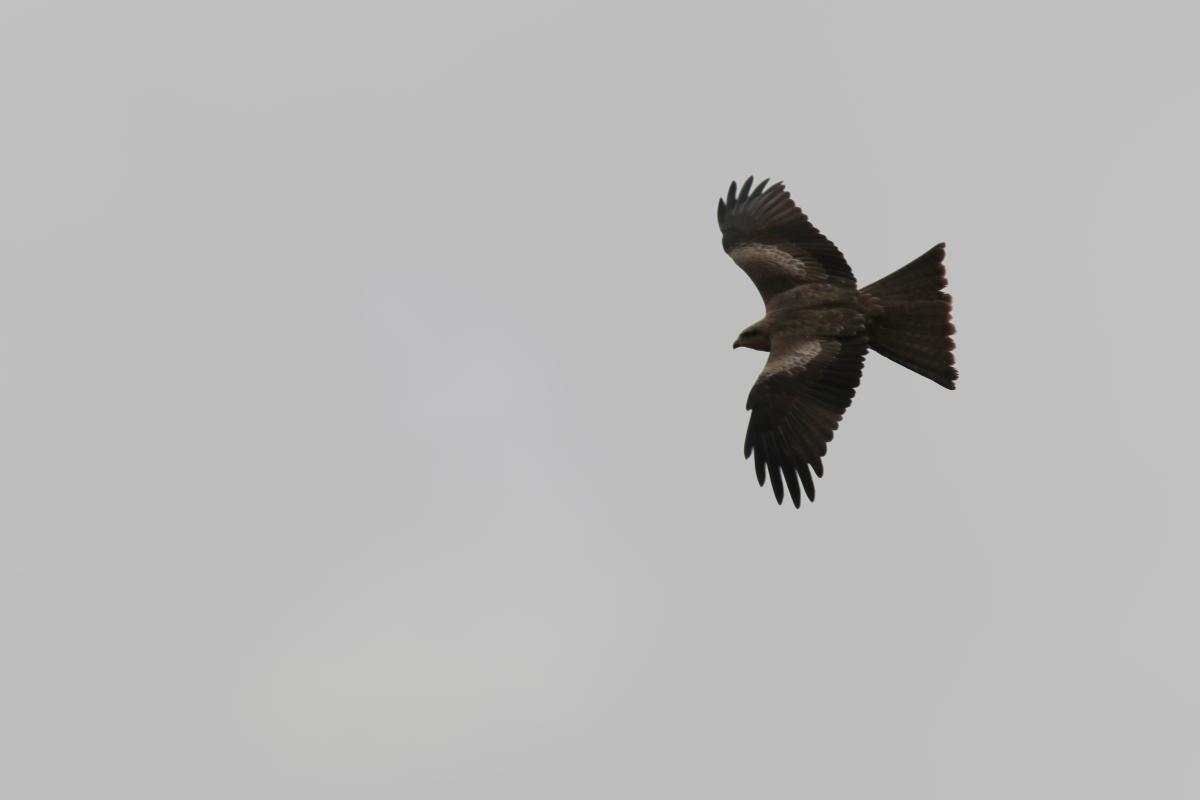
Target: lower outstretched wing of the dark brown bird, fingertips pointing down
{"x": 796, "y": 406}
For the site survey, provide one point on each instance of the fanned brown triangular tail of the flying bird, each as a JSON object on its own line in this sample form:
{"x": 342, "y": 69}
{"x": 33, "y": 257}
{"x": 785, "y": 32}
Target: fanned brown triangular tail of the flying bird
{"x": 913, "y": 324}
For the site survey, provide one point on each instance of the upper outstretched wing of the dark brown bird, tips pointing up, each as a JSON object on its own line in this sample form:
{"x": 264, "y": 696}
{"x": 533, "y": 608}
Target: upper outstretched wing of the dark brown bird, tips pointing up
{"x": 776, "y": 244}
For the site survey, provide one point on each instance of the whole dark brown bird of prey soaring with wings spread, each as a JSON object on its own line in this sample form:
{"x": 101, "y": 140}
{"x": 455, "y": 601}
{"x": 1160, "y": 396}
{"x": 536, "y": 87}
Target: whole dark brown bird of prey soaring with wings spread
{"x": 818, "y": 329}
